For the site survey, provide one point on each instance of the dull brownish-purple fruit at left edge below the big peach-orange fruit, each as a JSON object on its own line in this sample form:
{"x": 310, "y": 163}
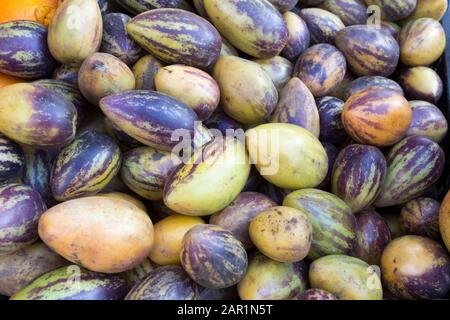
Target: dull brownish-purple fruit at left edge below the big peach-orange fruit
{"x": 20, "y": 268}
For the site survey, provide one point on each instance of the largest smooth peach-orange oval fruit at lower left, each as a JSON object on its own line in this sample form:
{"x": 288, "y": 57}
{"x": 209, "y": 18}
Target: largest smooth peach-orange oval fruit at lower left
{"x": 90, "y": 232}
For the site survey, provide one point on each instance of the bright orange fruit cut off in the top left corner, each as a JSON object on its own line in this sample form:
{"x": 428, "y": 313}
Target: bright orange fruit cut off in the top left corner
{"x": 36, "y": 10}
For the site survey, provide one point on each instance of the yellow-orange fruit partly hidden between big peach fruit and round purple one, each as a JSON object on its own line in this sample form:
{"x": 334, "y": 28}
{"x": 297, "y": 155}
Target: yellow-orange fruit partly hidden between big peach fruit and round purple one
{"x": 169, "y": 233}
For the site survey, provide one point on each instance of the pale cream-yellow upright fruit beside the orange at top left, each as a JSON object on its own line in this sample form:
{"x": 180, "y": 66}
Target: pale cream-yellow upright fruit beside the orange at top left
{"x": 72, "y": 39}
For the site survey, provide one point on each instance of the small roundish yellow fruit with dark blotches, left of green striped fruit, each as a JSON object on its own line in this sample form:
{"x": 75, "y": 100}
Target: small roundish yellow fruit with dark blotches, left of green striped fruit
{"x": 281, "y": 233}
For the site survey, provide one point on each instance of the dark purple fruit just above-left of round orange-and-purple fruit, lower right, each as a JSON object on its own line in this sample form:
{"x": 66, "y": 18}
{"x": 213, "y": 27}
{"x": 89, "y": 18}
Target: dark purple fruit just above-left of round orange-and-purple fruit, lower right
{"x": 372, "y": 236}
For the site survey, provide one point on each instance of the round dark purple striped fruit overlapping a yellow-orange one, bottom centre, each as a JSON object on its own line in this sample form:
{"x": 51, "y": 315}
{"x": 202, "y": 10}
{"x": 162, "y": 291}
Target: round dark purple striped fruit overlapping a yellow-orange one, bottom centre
{"x": 213, "y": 257}
